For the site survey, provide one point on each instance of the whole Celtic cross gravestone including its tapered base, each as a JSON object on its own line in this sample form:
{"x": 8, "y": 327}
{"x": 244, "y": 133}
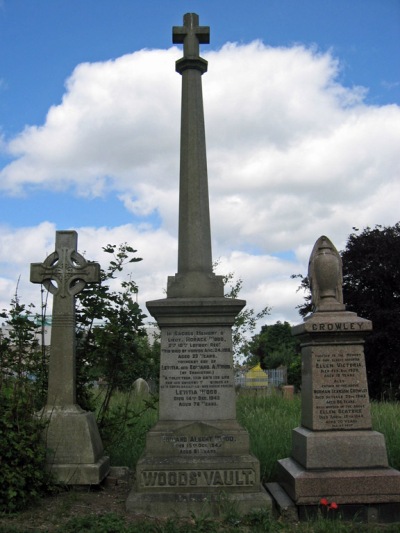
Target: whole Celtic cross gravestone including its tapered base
{"x": 75, "y": 450}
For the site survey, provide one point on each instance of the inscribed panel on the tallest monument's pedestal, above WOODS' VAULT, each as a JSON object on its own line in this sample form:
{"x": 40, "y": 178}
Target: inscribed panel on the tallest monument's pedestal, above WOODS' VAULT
{"x": 196, "y": 374}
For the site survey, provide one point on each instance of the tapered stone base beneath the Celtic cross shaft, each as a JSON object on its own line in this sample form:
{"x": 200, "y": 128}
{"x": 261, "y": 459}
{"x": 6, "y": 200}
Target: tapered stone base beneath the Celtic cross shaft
{"x": 75, "y": 451}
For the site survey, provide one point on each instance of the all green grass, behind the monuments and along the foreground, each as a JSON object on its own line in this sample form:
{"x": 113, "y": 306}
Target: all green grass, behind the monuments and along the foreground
{"x": 269, "y": 421}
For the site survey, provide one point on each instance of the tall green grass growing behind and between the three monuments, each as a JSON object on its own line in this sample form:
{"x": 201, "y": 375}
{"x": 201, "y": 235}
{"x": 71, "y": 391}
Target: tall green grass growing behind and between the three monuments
{"x": 268, "y": 419}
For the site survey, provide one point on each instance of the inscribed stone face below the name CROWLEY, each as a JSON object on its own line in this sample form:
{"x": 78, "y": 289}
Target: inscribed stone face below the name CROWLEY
{"x": 337, "y": 393}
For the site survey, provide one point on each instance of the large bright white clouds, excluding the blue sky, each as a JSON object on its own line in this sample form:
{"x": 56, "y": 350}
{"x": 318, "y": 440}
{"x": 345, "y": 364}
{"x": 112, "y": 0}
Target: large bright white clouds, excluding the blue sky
{"x": 292, "y": 155}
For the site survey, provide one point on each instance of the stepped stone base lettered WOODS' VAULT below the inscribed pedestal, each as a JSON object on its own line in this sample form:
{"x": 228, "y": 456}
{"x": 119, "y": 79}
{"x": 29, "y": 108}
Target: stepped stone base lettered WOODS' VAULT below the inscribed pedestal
{"x": 196, "y": 467}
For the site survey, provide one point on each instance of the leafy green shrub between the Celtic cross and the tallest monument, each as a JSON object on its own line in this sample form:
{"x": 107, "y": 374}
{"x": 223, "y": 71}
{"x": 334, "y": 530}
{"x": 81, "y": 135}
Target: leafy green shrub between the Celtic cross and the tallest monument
{"x": 112, "y": 340}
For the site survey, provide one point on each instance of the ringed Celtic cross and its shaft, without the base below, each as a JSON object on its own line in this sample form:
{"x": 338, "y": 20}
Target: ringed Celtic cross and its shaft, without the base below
{"x": 64, "y": 273}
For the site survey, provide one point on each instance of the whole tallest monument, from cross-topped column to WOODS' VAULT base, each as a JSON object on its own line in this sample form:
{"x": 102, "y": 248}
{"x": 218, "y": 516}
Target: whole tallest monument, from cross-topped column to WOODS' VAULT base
{"x": 197, "y": 456}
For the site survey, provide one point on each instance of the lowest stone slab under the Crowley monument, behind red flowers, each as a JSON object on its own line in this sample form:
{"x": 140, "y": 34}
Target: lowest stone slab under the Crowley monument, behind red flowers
{"x": 343, "y": 486}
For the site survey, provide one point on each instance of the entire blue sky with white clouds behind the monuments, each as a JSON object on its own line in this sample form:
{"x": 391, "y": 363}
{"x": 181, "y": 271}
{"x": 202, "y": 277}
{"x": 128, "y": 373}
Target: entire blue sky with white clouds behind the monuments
{"x": 301, "y": 103}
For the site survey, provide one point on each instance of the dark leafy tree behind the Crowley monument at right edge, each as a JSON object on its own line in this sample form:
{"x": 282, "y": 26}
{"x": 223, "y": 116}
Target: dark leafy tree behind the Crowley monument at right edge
{"x": 371, "y": 288}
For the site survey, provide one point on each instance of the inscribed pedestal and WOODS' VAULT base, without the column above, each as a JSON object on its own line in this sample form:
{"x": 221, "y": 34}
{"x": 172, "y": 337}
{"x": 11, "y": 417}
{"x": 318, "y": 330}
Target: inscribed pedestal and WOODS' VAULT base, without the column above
{"x": 197, "y": 456}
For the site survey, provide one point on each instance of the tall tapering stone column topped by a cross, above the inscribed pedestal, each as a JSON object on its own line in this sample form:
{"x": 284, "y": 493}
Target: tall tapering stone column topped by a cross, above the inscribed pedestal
{"x": 194, "y": 276}
